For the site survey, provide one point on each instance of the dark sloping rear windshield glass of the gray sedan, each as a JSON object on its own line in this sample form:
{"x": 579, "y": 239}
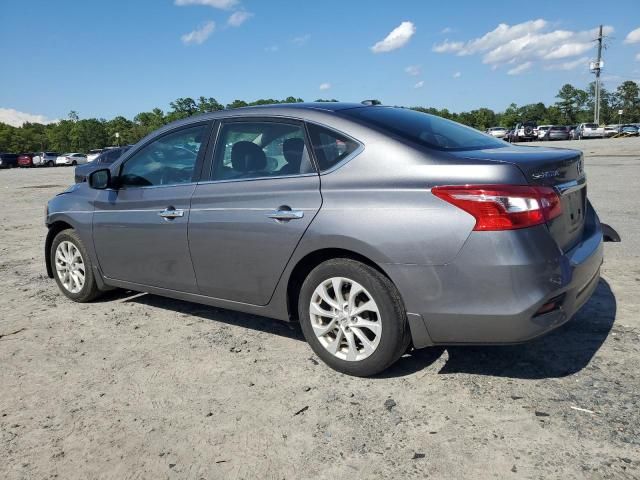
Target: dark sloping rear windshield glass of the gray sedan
{"x": 424, "y": 129}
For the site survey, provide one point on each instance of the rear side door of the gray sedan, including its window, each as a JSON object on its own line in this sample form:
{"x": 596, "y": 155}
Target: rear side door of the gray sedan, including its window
{"x": 248, "y": 217}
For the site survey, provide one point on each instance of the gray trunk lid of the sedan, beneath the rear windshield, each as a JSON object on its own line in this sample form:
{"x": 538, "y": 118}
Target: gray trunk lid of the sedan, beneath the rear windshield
{"x": 562, "y": 169}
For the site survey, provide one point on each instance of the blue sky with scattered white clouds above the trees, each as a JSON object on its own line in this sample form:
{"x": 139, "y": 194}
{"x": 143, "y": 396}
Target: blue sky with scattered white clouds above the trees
{"x": 122, "y": 57}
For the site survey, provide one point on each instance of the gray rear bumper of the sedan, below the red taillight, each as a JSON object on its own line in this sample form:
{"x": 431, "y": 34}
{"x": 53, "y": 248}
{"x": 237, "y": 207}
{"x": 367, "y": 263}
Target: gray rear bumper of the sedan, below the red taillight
{"x": 491, "y": 292}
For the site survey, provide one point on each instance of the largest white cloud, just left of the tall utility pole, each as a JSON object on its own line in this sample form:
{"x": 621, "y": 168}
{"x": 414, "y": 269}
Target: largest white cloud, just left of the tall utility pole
{"x": 522, "y": 43}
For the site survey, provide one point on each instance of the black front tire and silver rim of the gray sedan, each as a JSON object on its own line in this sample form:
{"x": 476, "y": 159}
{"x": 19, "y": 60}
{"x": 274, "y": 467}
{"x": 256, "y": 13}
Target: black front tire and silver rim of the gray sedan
{"x": 67, "y": 285}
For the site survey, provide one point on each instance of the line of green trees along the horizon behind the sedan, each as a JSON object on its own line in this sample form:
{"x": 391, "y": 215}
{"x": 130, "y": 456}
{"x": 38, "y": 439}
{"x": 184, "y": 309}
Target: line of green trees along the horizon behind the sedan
{"x": 573, "y": 106}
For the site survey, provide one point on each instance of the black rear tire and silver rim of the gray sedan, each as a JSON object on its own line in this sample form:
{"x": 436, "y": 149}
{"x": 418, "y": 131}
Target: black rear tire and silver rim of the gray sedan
{"x": 387, "y": 342}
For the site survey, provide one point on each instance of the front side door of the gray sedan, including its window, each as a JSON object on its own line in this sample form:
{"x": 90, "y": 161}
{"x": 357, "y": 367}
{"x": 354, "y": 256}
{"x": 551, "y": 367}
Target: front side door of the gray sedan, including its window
{"x": 140, "y": 228}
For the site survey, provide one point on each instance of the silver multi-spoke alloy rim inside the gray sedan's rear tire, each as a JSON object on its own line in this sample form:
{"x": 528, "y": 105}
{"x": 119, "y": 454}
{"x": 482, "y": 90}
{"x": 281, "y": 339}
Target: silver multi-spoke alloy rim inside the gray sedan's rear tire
{"x": 345, "y": 319}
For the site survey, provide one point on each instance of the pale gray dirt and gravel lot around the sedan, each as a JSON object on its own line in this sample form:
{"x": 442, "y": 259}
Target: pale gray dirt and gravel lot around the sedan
{"x": 137, "y": 386}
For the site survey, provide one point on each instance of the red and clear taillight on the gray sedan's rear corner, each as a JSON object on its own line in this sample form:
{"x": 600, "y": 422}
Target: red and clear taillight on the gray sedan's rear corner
{"x": 503, "y": 207}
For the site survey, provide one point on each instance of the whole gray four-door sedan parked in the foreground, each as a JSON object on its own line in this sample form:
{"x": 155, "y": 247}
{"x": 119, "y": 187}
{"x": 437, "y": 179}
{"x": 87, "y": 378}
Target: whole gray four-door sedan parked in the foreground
{"x": 376, "y": 228}
